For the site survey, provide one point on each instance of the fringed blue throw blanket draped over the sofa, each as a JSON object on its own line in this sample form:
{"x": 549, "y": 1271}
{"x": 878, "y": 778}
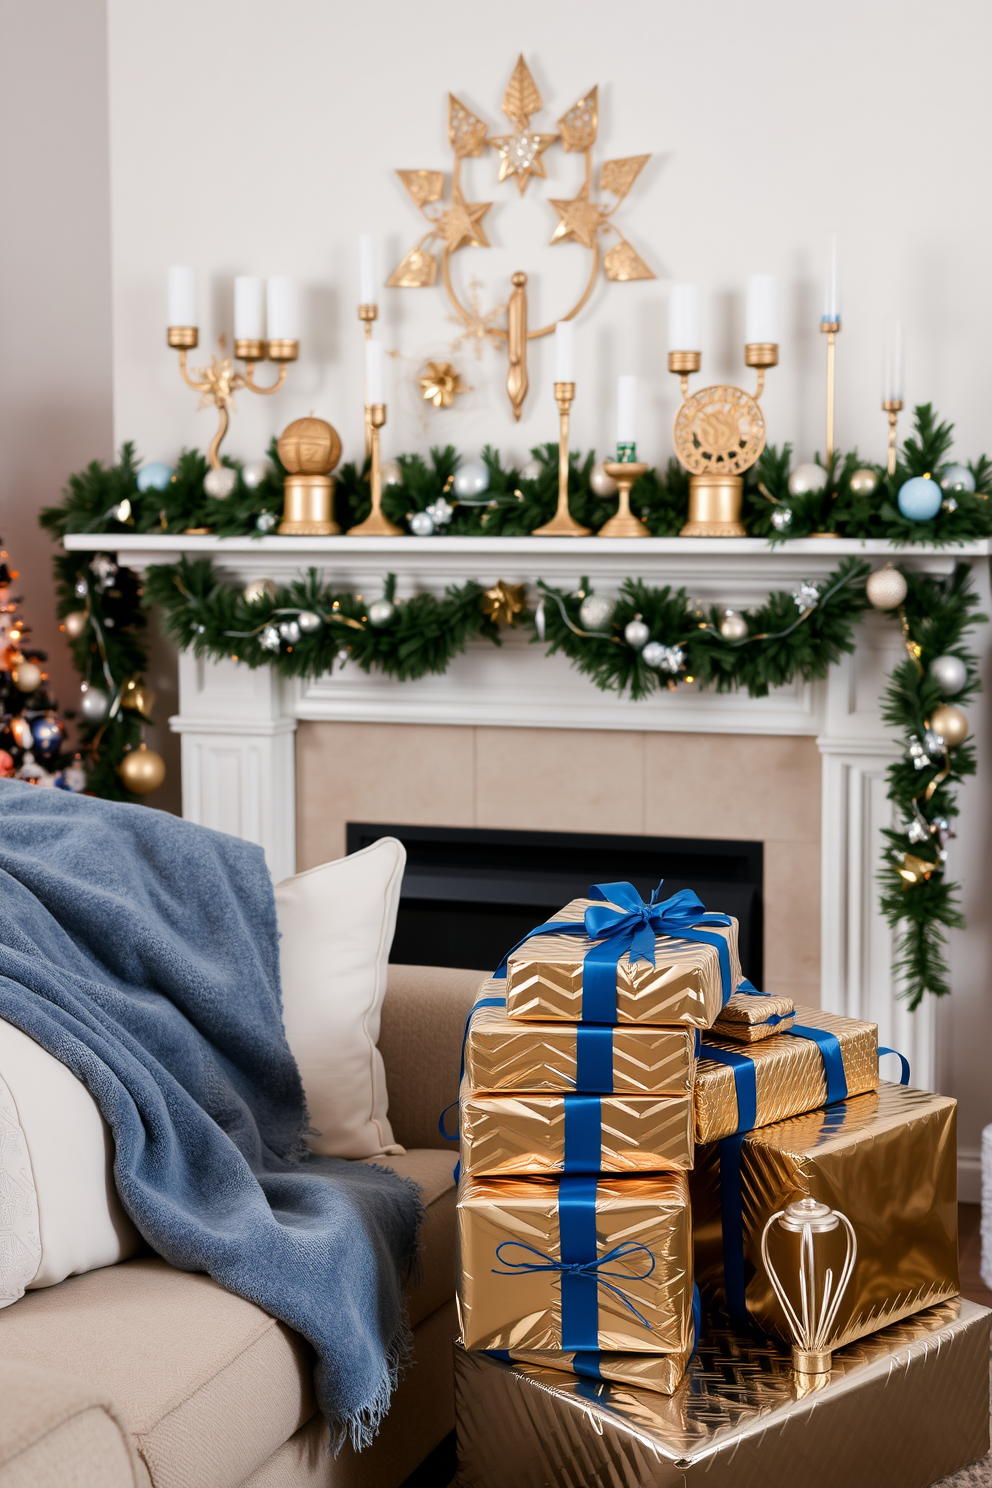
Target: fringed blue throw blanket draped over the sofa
{"x": 144, "y": 953}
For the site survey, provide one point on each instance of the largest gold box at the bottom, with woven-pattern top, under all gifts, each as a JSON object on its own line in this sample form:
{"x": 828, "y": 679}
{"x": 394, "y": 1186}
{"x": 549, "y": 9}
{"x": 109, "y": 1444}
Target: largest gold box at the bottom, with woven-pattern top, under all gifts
{"x": 901, "y": 1410}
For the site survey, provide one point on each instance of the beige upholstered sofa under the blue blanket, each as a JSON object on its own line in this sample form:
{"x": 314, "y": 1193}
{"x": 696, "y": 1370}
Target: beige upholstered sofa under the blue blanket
{"x": 144, "y": 1376}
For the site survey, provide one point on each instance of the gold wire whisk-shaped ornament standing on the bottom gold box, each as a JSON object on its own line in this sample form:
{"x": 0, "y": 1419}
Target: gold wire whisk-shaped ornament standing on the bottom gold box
{"x": 811, "y": 1321}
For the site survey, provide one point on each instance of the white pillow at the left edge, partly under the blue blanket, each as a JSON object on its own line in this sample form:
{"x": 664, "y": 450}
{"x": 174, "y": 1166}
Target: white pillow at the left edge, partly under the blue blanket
{"x": 60, "y": 1213}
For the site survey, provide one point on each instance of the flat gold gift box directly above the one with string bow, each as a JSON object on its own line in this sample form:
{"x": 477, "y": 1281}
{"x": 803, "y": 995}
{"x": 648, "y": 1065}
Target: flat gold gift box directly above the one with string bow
{"x": 508, "y": 1136}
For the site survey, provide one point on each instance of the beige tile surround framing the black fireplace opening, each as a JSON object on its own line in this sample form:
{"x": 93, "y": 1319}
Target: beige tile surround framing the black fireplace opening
{"x": 575, "y": 780}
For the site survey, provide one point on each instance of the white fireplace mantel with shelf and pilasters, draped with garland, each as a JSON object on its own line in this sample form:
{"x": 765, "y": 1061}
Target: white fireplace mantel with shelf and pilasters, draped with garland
{"x": 237, "y": 725}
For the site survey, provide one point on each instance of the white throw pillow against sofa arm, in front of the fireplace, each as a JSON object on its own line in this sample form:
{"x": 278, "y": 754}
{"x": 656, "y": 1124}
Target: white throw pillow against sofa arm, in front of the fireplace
{"x": 338, "y": 925}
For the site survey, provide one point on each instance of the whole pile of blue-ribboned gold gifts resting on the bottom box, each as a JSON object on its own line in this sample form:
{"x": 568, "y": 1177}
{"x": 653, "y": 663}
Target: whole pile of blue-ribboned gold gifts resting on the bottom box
{"x": 633, "y": 1114}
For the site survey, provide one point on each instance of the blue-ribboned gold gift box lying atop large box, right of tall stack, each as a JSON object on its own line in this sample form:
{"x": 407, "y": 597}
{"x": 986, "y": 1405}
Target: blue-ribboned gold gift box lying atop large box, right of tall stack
{"x": 789, "y": 1074}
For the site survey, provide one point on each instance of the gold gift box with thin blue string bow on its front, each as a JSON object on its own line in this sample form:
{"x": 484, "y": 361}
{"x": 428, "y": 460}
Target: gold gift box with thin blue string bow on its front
{"x": 642, "y": 1264}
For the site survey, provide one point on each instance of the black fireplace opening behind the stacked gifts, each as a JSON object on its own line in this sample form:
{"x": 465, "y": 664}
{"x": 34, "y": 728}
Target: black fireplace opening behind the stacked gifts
{"x": 471, "y": 894}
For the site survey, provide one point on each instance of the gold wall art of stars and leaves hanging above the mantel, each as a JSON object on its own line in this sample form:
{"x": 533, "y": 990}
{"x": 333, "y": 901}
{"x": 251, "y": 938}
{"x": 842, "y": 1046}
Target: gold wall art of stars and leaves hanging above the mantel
{"x": 582, "y": 219}
